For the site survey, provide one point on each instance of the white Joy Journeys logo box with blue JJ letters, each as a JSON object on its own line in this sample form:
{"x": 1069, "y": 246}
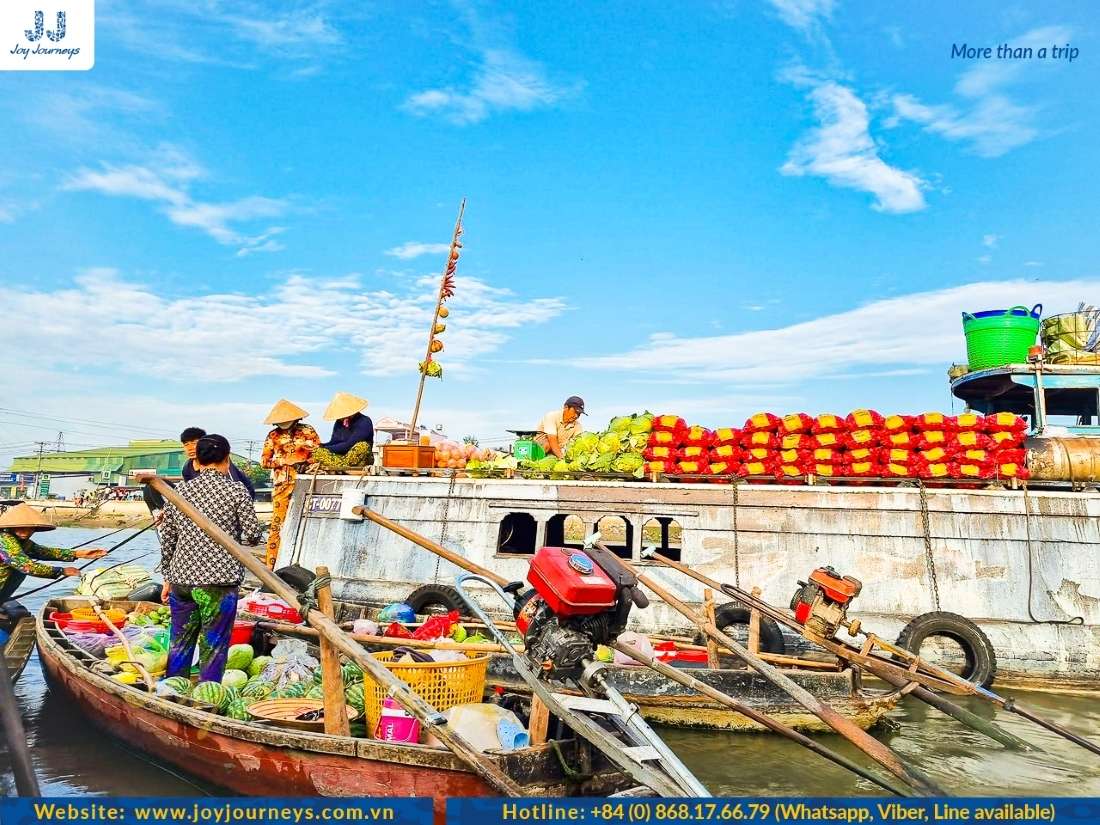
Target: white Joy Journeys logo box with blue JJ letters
{"x": 69, "y": 46}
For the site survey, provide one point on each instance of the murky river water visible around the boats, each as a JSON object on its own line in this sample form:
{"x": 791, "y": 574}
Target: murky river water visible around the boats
{"x": 73, "y": 758}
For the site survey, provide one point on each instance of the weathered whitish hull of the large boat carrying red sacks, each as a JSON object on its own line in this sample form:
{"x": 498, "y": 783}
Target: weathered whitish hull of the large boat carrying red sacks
{"x": 1007, "y": 559}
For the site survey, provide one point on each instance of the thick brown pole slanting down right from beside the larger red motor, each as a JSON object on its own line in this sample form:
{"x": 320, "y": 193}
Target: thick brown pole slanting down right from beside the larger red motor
{"x": 849, "y": 730}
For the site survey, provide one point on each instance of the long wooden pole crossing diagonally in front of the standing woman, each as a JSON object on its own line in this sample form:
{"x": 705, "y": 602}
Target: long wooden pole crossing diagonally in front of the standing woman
{"x": 329, "y": 630}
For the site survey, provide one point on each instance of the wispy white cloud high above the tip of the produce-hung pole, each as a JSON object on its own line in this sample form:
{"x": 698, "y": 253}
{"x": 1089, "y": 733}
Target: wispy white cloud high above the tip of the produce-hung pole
{"x": 504, "y": 81}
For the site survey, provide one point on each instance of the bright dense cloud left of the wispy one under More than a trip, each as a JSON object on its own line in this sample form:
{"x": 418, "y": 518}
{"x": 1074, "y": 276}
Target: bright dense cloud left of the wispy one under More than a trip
{"x": 842, "y": 151}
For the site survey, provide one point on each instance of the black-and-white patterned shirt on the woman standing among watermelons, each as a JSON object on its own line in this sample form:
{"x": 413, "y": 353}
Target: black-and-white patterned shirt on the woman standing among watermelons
{"x": 189, "y": 556}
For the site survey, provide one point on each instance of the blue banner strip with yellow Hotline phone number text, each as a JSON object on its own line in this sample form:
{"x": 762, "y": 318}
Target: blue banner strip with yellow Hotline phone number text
{"x": 771, "y": 810}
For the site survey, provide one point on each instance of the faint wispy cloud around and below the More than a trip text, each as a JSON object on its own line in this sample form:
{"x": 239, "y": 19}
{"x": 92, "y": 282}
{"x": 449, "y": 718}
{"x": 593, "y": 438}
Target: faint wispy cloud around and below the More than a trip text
{"x": 987, "y": 119}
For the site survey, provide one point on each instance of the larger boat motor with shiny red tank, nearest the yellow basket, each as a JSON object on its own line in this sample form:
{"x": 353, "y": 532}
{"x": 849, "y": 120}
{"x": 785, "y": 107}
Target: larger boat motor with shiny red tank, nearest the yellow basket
{"x": 580, "y": 599}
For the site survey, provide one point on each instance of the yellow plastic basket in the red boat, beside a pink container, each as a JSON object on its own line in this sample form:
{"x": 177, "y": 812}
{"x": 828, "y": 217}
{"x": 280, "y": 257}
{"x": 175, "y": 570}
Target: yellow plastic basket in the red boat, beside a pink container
{"x": 441, "y": 685}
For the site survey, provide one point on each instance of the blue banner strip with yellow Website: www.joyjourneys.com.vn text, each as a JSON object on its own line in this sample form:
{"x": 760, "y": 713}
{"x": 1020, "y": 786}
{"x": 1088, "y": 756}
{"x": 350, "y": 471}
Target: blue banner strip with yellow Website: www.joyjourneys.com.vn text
{"x": 215, "y": 811}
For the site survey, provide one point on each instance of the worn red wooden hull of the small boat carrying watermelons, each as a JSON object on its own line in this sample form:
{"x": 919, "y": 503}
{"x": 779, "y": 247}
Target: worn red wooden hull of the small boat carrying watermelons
{"x": 252, "y": 758}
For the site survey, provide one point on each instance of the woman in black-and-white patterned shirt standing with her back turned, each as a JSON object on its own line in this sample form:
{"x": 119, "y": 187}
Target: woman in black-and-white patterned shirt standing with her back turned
{"x": 201, "y": 578}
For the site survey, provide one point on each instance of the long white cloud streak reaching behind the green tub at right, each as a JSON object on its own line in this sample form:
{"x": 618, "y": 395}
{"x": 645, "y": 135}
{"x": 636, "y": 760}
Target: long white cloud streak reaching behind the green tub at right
{"x": 915, "y": 331}
